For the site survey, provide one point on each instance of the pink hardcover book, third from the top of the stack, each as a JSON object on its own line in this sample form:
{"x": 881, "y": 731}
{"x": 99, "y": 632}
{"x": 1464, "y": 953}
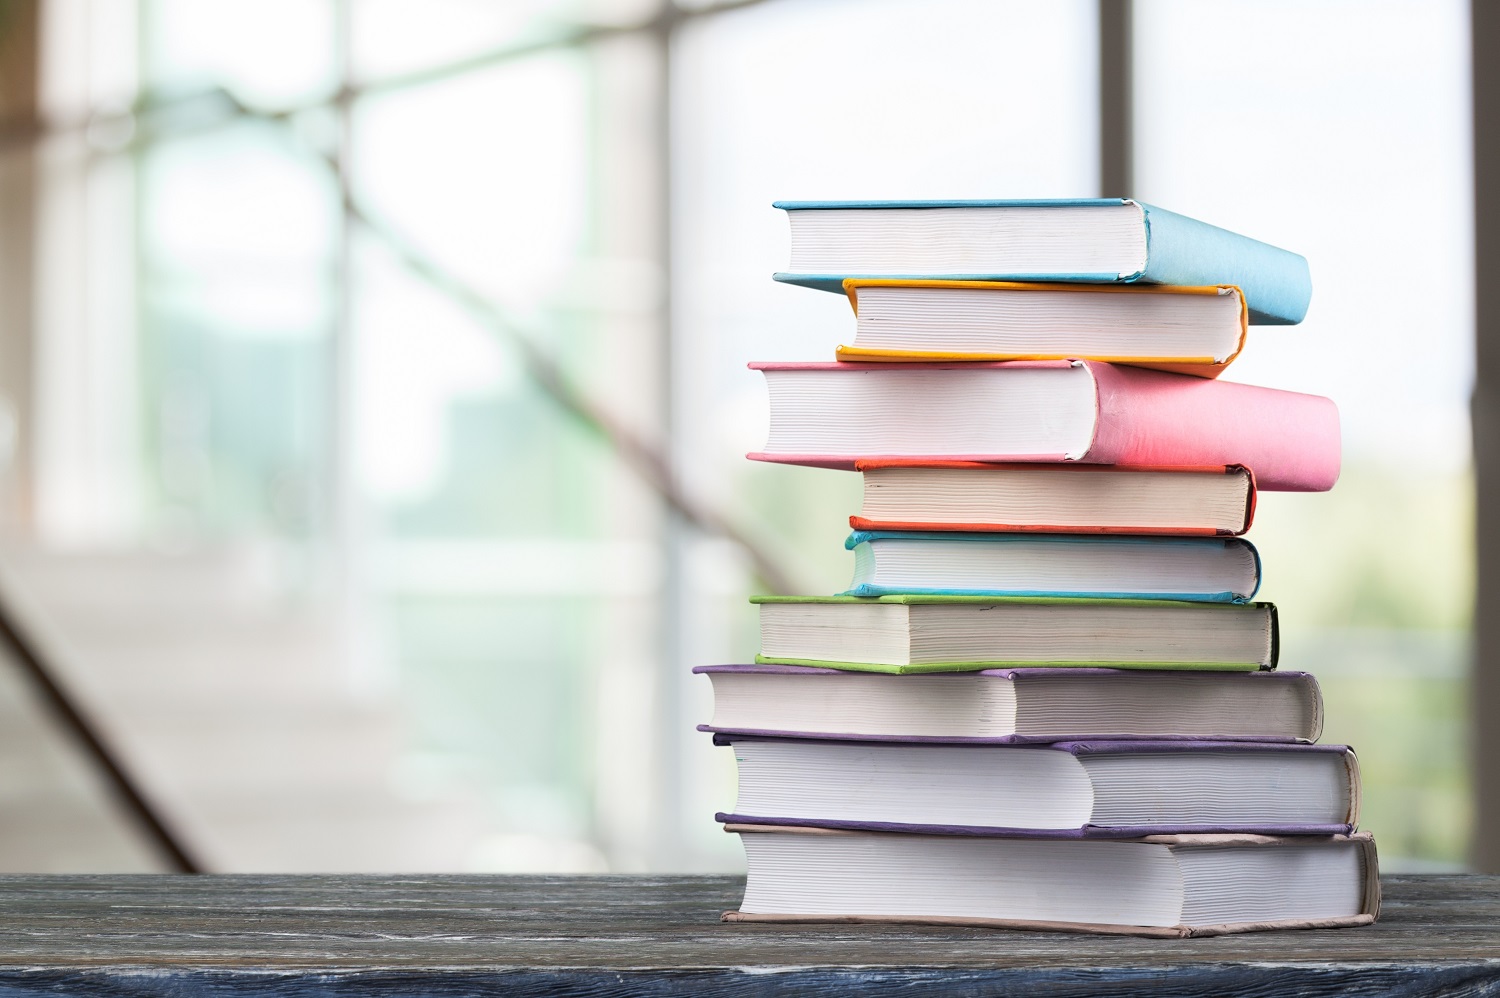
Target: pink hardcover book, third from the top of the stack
{"x": 836, "y": 415}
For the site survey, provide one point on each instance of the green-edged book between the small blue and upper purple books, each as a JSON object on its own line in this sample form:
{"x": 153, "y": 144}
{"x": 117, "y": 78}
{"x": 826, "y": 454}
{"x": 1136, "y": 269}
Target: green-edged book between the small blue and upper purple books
{"x": 956, "y": 634}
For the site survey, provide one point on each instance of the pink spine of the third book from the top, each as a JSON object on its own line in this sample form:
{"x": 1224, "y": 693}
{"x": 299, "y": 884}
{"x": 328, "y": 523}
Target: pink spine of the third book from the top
{"x": 1291, "y": 442}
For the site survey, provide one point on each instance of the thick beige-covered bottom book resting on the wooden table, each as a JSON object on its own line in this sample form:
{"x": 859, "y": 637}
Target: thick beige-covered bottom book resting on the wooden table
{"x": 1163, "y": 885}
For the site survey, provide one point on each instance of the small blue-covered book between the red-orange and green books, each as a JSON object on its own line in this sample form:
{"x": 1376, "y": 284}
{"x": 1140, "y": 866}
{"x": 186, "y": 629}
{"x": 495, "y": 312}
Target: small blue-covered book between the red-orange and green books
{"x": 1105, "y": 567}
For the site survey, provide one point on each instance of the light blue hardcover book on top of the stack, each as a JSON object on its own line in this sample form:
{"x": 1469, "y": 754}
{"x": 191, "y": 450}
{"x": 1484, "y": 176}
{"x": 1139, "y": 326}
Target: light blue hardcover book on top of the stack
{"x": 1097, "y": 241}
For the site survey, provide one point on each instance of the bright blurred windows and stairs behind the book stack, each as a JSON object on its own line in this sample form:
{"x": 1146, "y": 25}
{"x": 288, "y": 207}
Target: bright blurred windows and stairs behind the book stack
{"x": 374, "y": 392}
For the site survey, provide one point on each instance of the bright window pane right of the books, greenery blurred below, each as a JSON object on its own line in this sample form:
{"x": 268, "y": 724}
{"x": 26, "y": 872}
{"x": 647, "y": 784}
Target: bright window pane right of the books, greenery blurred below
{"x": 1343, "y": 131}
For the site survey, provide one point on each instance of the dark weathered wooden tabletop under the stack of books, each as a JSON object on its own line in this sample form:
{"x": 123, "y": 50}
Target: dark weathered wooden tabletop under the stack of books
{"x": 538, "y": 936}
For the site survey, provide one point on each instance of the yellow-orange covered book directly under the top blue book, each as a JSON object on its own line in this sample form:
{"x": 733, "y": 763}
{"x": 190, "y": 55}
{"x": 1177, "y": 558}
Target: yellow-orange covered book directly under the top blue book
{"x": 1187, "y": 331}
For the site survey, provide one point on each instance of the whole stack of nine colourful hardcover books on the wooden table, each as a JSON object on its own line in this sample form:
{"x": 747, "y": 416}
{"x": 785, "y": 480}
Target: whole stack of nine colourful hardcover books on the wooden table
{"x": 1048, "y": 699}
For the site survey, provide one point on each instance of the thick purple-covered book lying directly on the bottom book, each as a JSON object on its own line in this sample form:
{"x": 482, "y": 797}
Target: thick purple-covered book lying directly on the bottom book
{"x": 1073, "y": 790}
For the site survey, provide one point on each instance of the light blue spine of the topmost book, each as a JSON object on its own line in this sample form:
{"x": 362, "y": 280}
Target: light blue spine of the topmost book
{"x": 1180, "y": 250}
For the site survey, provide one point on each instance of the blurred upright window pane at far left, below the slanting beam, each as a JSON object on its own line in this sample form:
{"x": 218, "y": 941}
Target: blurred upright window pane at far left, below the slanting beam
{"x": 236, "y": 305}
